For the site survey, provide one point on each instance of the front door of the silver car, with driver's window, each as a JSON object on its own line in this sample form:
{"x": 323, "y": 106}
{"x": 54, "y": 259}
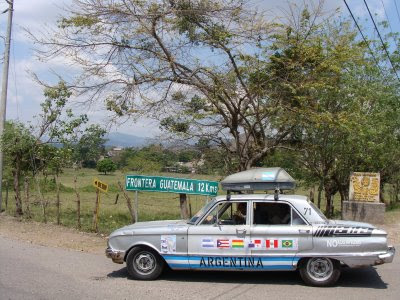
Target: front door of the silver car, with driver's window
{"x": 219, "y": 240}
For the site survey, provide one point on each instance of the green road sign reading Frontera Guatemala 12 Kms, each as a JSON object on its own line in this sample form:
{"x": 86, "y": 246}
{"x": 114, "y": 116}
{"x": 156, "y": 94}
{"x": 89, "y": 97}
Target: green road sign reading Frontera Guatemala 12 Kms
{"x": 171, "y": 185}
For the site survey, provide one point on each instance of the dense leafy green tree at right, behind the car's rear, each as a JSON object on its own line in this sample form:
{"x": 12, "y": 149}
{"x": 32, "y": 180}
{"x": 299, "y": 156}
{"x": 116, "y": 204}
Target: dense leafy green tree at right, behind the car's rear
{"x": 342, "y": 108}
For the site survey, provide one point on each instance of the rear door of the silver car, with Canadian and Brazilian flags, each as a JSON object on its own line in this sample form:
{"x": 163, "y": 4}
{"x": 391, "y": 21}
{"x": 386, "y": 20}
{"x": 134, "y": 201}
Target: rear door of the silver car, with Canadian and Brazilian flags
{"x": 278, "y": 233}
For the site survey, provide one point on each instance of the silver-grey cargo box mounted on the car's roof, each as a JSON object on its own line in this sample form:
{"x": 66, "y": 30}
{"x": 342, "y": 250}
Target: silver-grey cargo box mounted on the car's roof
{"x": 259, "y": 179}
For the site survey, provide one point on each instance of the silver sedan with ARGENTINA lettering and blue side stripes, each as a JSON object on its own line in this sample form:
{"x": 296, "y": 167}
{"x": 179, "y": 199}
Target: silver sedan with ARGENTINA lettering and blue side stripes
{"x": 252, "y": 232}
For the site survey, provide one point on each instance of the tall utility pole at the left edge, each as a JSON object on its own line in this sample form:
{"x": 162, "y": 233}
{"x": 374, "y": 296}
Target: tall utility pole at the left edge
{"x": 3, "y": 100}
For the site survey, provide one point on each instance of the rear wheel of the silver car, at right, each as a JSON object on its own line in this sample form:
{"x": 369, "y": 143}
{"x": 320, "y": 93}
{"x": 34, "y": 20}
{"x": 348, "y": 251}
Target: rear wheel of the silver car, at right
{"x": 320, "y": 271}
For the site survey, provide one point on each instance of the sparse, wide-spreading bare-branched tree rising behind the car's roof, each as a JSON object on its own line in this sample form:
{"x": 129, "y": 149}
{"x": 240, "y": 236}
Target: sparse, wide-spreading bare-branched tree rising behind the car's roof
{"x": 157, "y": 50}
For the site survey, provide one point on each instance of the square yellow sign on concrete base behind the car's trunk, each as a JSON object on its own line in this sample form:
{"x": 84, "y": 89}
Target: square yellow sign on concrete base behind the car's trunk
{"x": 364, "y": 187}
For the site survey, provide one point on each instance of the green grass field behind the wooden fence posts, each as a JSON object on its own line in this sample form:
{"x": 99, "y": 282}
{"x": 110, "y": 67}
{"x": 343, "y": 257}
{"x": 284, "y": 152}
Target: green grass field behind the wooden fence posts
{"x": 152, "y": 205}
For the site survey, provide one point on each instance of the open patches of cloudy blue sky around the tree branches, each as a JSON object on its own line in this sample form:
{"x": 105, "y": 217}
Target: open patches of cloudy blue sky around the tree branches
{"x": 25, "y": 95}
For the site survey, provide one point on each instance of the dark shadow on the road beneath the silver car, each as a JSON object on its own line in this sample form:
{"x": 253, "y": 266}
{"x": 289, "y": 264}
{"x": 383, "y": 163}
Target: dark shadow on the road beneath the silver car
{"x": 362, "y": 277}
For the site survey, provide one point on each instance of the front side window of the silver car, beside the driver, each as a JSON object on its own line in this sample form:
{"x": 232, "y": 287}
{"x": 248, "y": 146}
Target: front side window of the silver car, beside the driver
{"x": 227, "y": 213}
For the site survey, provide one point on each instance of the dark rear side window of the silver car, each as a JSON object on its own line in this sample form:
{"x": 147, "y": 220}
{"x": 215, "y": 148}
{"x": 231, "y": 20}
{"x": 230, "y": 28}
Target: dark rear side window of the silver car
{"x": 267, "y": 213}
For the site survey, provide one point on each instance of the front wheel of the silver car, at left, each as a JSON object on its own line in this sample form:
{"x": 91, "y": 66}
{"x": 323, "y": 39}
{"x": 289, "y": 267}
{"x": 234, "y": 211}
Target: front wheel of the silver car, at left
{"x": 144, "y": 264}
